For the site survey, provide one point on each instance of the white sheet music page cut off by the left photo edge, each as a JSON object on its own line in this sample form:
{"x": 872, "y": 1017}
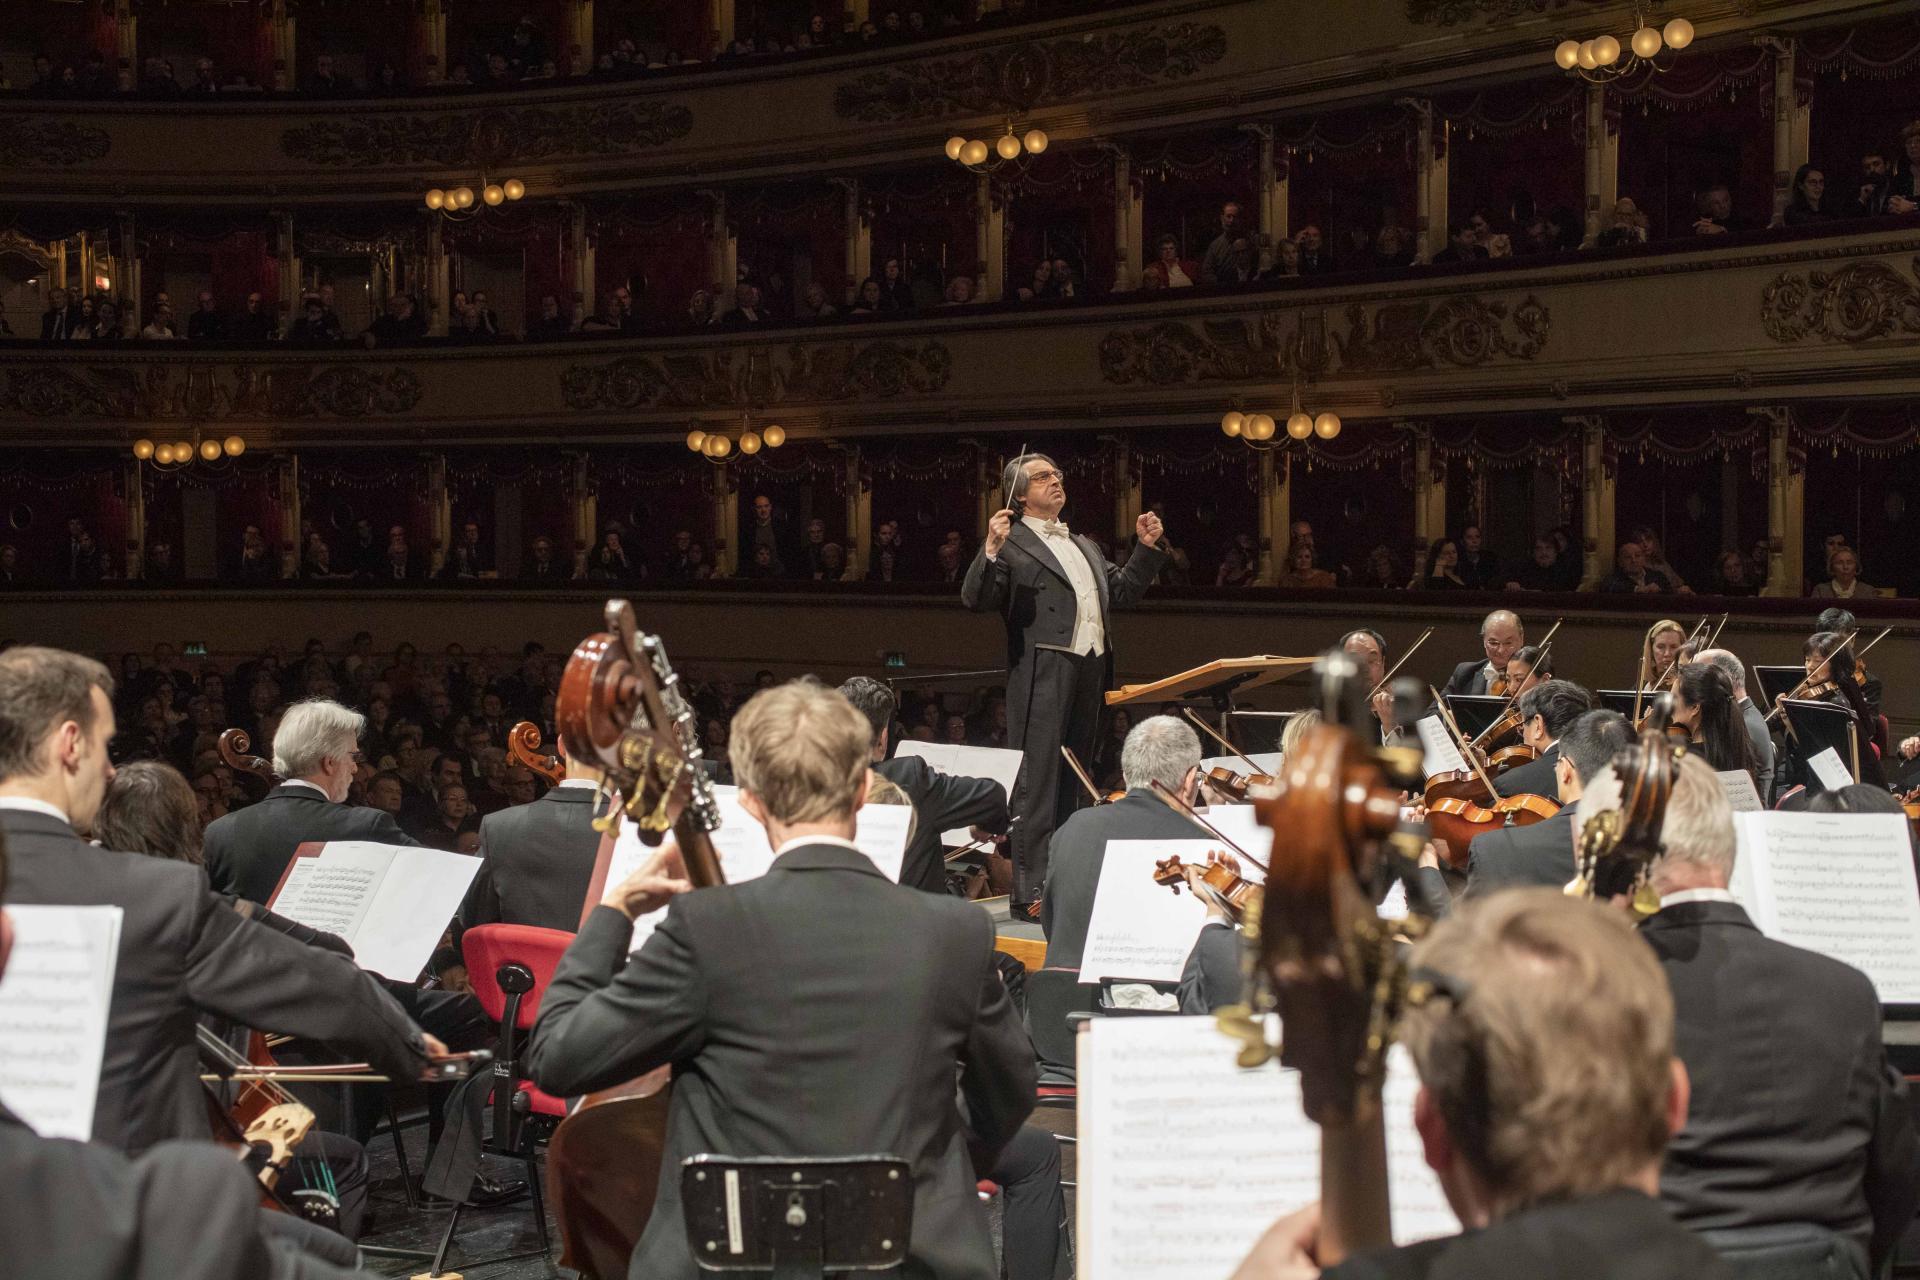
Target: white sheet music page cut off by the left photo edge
{"x": 55, "y": 1007}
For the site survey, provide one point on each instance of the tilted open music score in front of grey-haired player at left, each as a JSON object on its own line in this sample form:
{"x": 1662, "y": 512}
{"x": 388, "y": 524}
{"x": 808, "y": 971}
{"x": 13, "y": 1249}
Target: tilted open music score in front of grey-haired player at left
{"x": 389, "y": 901}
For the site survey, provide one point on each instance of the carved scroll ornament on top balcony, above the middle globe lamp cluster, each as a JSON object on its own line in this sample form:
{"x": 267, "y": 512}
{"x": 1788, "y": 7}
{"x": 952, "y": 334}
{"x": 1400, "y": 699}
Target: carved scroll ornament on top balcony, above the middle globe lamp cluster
{"x": 1028, "y": 74}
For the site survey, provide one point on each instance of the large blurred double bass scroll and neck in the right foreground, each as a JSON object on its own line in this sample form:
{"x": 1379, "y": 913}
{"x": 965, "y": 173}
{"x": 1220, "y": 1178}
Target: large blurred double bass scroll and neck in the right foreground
{"x": 1326, "y": 960}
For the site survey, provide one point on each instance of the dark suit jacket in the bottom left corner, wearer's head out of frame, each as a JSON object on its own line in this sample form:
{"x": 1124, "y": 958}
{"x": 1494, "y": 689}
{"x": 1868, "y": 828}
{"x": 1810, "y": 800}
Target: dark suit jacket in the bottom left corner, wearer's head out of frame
{"x": 84, "y": 1212}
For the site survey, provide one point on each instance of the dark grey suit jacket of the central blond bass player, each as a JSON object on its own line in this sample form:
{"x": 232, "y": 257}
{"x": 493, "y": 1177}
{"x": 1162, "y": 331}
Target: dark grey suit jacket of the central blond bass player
{"x": 819, "y": 1010}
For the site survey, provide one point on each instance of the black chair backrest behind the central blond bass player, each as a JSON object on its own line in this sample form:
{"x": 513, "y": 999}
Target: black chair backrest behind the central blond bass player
{"x": 798, "y": 1218}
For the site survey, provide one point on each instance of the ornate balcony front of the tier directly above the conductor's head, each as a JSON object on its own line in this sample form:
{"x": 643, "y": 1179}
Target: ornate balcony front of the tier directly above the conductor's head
{"x": 1767, "y": 321}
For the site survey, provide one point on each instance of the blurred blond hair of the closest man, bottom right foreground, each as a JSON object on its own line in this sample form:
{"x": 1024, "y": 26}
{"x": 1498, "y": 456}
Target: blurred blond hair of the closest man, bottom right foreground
{"x": 1550, "y": 1049}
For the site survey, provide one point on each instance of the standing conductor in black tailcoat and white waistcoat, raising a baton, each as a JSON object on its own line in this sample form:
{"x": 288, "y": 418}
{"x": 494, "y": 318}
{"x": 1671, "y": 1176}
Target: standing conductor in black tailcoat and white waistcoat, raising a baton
{"x": 1055, "y": 590}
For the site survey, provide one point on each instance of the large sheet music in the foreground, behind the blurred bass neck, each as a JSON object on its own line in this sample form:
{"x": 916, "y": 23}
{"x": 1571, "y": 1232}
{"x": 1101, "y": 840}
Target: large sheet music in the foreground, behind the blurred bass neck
{"x": 1186, "y": 1158}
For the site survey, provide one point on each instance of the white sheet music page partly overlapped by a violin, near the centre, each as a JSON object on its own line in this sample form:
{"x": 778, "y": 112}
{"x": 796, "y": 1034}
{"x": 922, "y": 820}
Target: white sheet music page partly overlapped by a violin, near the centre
{"x": 1141, "y": 930}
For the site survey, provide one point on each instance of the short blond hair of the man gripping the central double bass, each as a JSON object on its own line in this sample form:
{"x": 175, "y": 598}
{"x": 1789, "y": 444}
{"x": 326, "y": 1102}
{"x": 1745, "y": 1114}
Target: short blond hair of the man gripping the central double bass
{"x": 804, "y": 751}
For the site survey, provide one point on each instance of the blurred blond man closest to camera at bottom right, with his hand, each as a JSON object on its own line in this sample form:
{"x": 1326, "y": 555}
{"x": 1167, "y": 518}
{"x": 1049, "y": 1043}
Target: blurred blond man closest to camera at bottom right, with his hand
{"x": 1548, "y": 1093}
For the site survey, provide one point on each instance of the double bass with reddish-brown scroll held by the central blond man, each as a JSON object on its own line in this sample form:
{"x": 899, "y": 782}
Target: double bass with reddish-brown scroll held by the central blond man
{"x": 621, "y": 707}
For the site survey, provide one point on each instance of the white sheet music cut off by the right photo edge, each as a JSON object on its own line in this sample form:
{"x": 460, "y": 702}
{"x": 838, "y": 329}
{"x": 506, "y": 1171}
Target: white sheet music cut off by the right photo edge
{"x": 1842, "y": 886}
